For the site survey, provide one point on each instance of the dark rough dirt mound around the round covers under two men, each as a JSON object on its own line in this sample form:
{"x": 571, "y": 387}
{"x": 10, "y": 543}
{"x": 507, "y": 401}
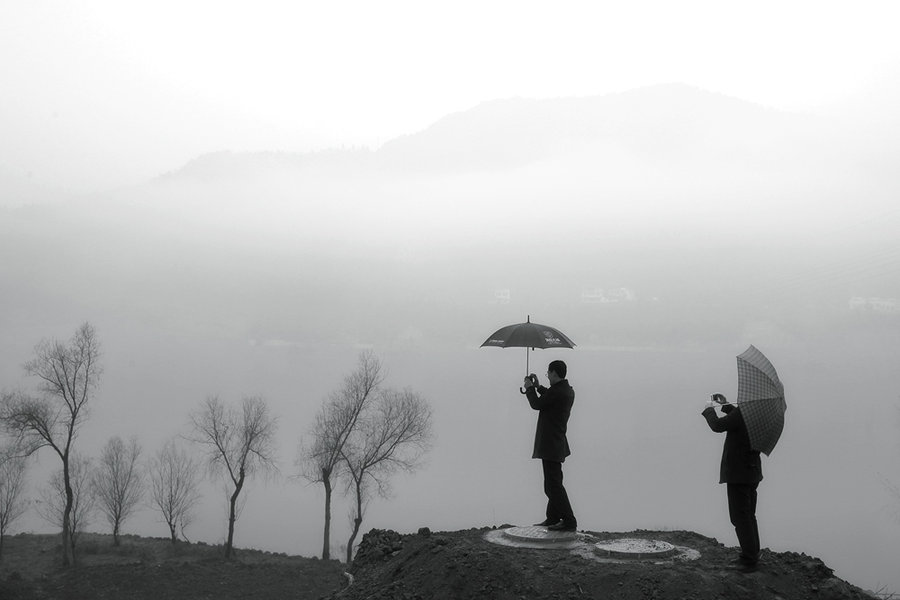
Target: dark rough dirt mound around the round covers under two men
{"x": 463, "y": 565}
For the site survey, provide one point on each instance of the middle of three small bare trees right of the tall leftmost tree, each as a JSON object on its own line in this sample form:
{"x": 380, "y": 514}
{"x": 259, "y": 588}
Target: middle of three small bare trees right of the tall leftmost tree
{"x": 118, "y": 482}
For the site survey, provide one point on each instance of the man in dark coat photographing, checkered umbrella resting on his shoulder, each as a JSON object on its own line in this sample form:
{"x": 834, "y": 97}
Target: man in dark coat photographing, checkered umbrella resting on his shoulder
{"x": 741, "y": 471}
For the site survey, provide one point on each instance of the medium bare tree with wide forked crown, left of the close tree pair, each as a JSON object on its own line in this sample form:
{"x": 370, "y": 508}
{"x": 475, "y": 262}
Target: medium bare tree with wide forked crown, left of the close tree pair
{"x": 239, "y": 443}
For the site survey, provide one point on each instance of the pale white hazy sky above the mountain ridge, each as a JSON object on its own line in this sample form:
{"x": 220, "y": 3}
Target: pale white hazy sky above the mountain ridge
{"x": 98, "y": 93}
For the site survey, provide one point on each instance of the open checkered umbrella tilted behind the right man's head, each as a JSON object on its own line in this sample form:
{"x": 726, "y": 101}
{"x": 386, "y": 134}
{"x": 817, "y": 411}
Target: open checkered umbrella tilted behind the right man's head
{"x": 761, "y": 399}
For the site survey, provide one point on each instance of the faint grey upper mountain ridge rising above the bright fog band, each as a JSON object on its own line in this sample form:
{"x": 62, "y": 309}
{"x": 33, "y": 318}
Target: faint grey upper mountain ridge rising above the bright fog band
{"x": 662, "y": 122}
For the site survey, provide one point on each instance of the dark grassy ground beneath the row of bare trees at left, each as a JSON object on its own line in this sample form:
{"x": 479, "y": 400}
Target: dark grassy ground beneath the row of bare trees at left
{"x": 155, "y": 568}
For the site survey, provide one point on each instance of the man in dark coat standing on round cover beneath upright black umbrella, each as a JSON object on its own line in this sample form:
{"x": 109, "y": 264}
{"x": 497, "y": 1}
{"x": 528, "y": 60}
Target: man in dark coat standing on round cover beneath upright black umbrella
{"x": 554, "y": 405}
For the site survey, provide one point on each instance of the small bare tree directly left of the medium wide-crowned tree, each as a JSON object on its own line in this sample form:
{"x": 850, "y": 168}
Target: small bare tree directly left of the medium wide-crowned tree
{"x": 174, "y": 477}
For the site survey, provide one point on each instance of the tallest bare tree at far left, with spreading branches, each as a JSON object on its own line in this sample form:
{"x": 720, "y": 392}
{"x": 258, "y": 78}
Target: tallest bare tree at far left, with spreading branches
{"x": 68, "y": 375}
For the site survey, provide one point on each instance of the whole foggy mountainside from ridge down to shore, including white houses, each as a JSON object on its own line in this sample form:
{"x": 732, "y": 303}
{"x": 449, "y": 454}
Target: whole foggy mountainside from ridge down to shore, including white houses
{"x": 711, "y": 211}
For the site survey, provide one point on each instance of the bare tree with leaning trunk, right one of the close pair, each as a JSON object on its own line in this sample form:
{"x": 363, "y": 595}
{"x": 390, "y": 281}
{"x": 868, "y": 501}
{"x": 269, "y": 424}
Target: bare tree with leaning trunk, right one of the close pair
{"x": 393, "y": 437}
